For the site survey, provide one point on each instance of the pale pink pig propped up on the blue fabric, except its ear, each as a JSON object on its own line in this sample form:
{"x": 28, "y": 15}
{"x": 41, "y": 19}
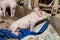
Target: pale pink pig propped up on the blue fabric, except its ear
{"x": 28, "y": 21}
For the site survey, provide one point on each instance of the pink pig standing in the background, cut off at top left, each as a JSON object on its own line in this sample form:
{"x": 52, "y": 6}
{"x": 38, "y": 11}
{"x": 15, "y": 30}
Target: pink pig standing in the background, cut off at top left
{"x": 8, "y": 3}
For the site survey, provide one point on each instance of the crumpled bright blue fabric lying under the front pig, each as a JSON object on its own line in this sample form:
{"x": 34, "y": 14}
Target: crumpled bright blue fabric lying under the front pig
{"x": 6, "y": 34}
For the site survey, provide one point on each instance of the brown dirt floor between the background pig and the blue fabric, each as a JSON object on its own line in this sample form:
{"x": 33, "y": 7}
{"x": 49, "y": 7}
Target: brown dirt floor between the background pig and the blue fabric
{"x": 7, "y": 22}
